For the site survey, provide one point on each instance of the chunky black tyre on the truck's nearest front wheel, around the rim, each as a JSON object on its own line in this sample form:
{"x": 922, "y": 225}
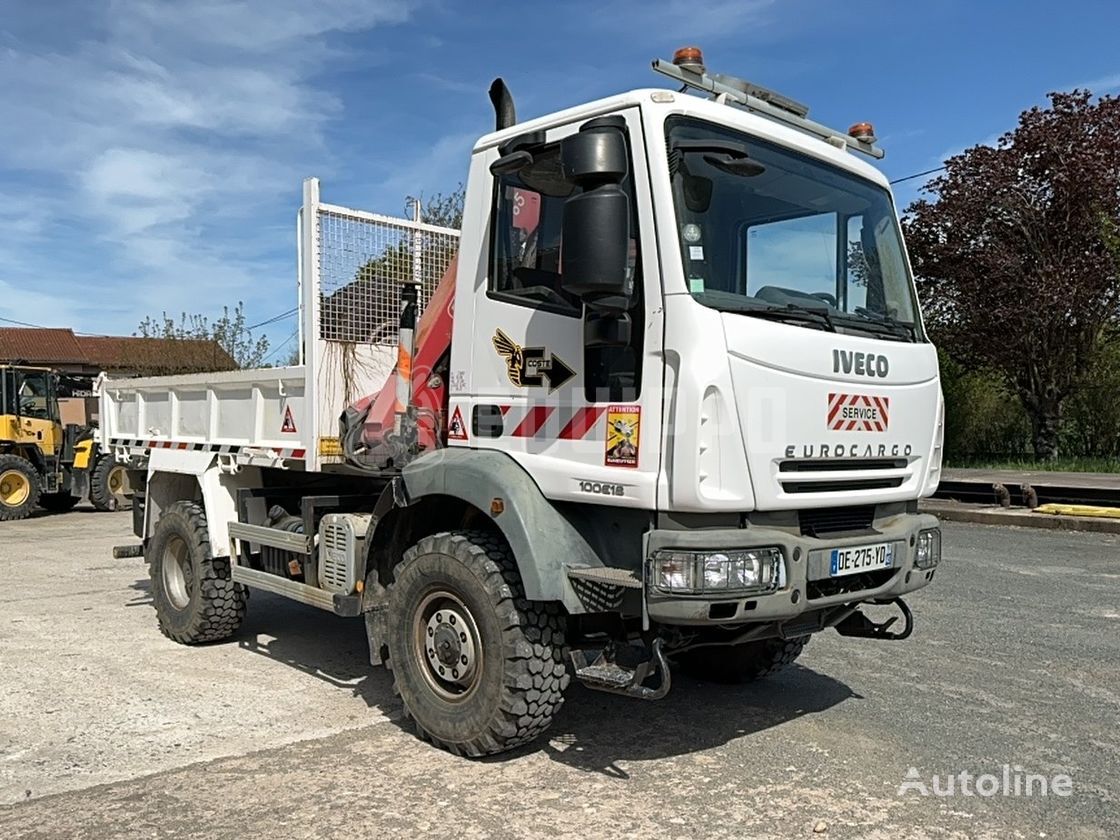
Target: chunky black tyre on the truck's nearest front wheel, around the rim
{"x": 522, "y": 676}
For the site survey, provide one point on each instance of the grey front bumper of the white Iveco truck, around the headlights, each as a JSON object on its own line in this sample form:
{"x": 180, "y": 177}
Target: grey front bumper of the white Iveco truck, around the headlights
{"x": 808, "y": 589}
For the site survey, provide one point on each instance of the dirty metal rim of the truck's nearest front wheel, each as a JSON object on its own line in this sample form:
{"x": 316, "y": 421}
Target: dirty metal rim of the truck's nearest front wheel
{"x": 447, "y": 646}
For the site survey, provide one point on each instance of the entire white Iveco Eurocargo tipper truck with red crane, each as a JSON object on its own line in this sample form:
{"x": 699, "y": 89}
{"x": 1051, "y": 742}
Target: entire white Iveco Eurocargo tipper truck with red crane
{"x": 671, "y": 406}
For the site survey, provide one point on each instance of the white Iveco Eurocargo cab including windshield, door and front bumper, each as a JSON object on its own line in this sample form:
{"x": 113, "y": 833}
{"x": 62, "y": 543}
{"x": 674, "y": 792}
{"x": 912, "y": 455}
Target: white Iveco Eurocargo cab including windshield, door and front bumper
{"x": 761, "y": 384}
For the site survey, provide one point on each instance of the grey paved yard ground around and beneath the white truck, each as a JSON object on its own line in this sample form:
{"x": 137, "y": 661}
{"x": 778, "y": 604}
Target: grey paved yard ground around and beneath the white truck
{"x": 108, "y": 730}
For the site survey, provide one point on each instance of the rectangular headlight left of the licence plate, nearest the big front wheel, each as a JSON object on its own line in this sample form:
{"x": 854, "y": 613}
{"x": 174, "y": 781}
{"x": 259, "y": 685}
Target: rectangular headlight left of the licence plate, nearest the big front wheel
{"x": 718, "y": 573}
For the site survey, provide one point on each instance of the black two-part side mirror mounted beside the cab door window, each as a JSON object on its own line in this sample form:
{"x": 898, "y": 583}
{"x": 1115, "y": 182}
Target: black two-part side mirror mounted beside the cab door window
{"x": 596, "y": 234}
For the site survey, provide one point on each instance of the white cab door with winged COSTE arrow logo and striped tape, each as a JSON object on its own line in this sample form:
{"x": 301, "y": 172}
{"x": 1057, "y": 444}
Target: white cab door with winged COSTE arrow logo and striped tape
{"x": 583, "y": 422}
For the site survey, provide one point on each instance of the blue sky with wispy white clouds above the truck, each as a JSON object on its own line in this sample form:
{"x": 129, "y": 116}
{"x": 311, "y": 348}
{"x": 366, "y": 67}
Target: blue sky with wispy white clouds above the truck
{"x": 152, "y": 154}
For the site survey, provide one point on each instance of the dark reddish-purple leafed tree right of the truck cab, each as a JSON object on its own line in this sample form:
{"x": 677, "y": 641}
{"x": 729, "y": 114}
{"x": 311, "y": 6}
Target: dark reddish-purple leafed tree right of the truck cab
{"x": 1016, "y": 254}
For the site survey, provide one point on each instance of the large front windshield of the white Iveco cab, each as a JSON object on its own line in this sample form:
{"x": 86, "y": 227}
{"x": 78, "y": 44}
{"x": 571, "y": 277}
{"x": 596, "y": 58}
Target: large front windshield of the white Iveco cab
{"x": 769, "y": 232}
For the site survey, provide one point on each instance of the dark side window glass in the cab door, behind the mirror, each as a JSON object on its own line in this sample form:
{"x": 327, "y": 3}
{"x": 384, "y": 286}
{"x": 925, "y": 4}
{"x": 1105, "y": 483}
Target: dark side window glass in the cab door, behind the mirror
{"x": 526, "y": 258}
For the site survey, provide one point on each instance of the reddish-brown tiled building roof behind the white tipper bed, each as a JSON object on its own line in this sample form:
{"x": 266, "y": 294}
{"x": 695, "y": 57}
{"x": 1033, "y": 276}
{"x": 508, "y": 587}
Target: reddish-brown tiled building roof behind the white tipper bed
{"x": 115, "y": 354}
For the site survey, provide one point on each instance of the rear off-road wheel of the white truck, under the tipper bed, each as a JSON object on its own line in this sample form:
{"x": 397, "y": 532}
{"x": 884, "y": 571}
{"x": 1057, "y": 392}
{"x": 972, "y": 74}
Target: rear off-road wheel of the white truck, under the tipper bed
{"x": 213, "y": 606}
